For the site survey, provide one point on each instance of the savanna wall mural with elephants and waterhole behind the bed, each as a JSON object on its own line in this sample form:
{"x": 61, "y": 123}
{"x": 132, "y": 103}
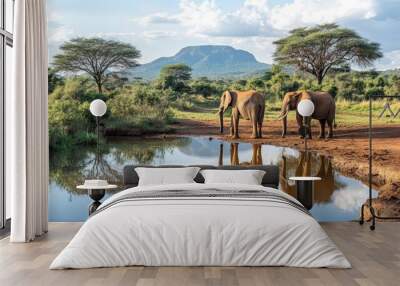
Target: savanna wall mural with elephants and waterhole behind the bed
{"x": 219, "y": 82}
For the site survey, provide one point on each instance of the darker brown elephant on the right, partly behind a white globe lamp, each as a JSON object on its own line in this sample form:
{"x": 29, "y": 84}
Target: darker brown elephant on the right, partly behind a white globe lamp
{"x": 324, "y": 112}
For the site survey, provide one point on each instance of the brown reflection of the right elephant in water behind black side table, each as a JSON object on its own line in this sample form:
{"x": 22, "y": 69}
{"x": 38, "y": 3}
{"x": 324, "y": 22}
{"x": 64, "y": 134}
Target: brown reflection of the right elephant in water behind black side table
{"x": 322, "y": 189}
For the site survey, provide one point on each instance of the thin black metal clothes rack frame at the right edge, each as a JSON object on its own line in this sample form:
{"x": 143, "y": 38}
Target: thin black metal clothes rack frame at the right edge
{"x": 369, "y": 203}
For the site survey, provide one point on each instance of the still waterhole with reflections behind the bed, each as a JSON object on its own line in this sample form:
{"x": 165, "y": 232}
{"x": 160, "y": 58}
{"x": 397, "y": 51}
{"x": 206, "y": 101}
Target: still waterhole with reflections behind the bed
{"x": 336, "y": 198}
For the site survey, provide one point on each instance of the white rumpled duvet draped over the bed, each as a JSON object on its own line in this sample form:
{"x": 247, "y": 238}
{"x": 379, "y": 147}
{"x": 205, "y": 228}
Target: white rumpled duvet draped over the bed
{"x": 203, "y": 232}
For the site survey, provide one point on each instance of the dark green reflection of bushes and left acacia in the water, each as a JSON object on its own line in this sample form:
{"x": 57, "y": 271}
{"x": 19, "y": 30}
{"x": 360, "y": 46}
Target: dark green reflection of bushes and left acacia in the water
{"x": 70, "y": 167}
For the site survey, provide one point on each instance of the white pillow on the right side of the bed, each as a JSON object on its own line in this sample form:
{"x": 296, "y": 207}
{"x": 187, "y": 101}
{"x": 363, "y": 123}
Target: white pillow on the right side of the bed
{"x": 248, "y": 177}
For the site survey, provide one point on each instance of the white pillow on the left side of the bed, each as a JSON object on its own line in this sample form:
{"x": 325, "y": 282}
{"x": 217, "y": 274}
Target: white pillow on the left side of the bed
{"x": 166, "y": 176}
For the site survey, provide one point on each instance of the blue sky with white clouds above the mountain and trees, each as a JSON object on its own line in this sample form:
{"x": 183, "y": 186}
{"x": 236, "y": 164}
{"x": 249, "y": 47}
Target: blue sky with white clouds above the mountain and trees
{"x": 161, "y": 28}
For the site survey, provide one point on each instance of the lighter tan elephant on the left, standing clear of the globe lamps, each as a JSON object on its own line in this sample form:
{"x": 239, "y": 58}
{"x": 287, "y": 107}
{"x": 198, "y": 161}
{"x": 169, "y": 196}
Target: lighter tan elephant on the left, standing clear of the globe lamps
{"x": 249, "y": 105}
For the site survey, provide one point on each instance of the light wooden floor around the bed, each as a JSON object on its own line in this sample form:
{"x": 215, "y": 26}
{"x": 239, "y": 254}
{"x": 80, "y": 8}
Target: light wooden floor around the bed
{"x": 375, "y": 257}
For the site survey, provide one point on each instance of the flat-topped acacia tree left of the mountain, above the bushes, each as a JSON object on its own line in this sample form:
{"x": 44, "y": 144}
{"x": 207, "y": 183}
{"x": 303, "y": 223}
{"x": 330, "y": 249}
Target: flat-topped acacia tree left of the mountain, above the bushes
{"x": 95, "y": 56}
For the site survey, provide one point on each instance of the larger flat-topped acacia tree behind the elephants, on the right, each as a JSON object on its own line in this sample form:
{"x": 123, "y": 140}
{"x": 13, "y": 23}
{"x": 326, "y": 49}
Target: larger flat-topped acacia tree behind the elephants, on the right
{"x": 319, "y": 49}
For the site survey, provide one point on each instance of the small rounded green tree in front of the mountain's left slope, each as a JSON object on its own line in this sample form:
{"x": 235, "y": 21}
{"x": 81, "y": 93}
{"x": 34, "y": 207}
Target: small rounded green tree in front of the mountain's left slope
{"x": 175, "y": 76}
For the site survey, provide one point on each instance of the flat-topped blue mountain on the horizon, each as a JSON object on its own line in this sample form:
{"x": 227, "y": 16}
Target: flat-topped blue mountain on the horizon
{"x": 211, "y": 61}
